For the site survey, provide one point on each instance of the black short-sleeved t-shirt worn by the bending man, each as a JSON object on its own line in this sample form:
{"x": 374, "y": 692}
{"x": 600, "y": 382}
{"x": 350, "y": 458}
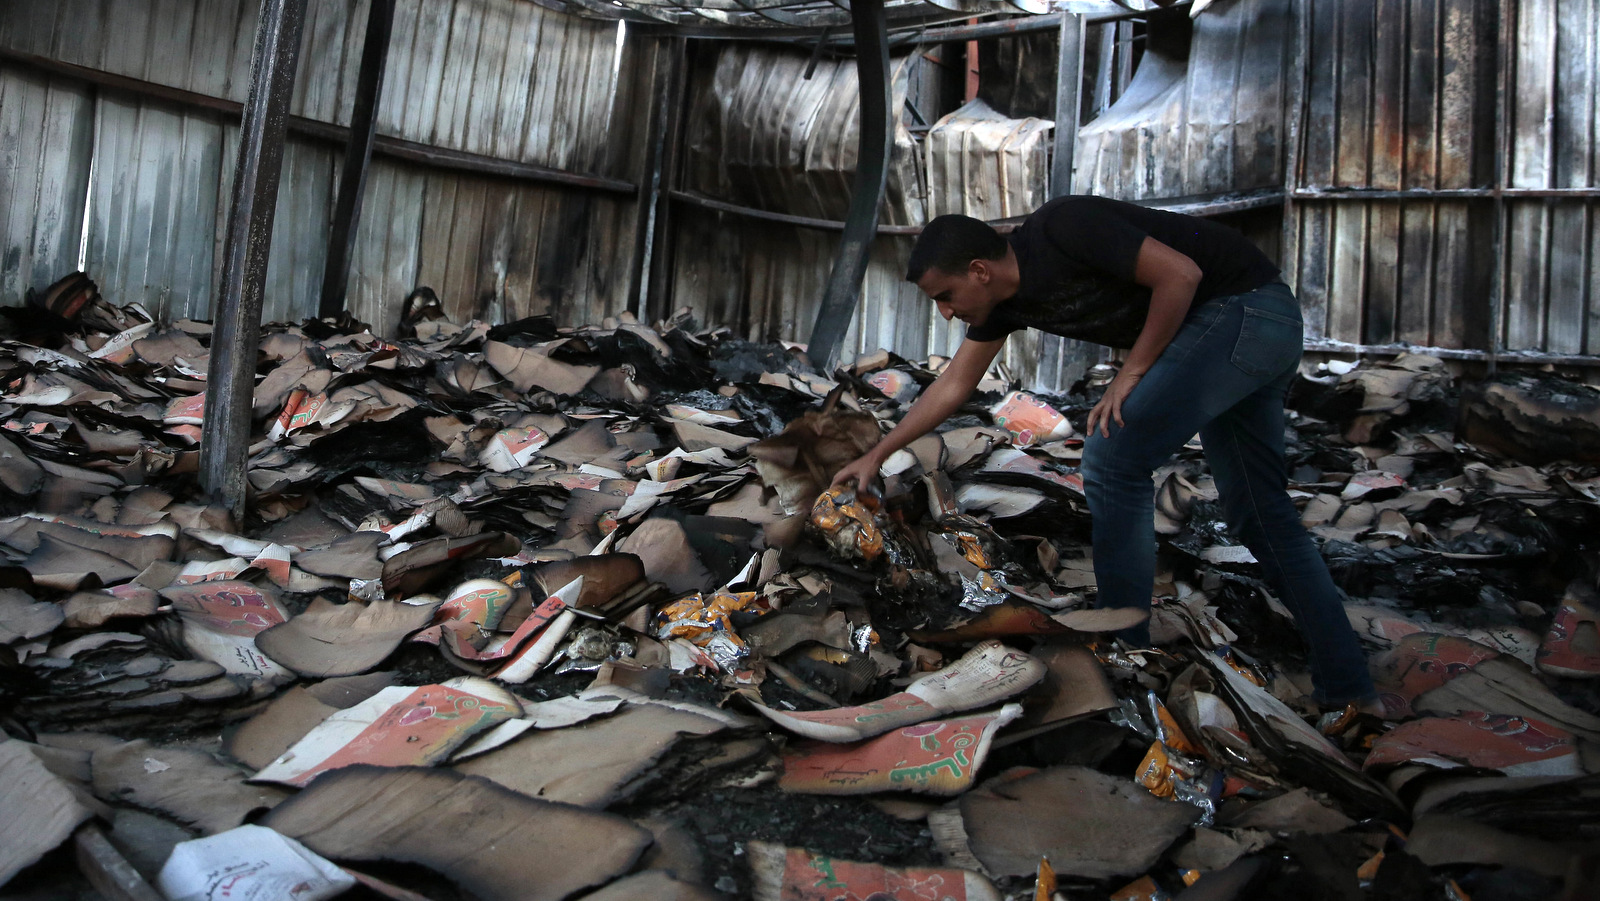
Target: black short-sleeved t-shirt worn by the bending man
{"x": 1076, "y": 257}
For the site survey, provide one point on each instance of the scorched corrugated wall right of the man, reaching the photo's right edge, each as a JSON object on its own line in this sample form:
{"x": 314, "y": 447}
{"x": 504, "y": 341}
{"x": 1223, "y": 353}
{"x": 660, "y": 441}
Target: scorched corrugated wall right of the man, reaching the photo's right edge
{"x": 1402, "y": 98}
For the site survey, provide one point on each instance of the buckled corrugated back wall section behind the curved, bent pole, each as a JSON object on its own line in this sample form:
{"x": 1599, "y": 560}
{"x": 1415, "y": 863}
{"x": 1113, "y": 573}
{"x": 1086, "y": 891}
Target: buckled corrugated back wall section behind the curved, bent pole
{"x": 762, "y": 135}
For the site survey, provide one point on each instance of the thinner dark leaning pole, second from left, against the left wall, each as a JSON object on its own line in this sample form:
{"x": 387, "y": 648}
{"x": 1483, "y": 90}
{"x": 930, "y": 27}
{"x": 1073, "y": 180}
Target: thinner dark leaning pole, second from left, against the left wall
{"x": 358, "y": 154}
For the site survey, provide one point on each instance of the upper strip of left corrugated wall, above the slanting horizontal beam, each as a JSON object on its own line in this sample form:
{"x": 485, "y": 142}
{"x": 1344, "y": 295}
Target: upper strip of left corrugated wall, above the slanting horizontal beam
{"x": 498, "y": 78}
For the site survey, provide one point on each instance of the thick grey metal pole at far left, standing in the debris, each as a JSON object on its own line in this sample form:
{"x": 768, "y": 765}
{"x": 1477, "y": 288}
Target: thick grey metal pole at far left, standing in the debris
{"x": 231, "y": 382}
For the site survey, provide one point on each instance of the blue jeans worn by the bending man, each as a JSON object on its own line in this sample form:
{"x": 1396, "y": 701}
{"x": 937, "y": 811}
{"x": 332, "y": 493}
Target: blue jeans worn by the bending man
{"x": 1225, "y": 377}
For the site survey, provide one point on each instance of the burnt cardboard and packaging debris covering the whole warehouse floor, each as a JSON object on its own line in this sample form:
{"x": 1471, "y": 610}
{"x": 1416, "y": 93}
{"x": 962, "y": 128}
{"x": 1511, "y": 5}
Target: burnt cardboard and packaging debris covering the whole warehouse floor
{"x": 559, "y": 614}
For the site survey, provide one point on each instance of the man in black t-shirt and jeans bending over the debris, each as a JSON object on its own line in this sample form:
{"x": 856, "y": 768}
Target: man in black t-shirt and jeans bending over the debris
{"x": 1214, "y": 351}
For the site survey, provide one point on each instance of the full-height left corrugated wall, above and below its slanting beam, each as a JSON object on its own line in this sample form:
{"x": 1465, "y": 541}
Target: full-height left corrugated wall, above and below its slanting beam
{"x": 505, "y": 79}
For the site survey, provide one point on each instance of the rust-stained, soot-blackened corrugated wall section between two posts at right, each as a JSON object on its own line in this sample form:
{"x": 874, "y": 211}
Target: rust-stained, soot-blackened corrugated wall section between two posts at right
{"x": 1399, "y": 97}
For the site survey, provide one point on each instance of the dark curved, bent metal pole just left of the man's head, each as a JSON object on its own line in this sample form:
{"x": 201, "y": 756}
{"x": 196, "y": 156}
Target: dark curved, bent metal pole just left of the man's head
{"x": 873, "y": 169}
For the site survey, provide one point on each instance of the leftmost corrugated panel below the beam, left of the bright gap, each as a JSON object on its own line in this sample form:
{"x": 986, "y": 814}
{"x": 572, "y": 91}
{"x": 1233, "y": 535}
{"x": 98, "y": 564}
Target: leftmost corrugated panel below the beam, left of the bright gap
{"x": 46, "y": 150}
